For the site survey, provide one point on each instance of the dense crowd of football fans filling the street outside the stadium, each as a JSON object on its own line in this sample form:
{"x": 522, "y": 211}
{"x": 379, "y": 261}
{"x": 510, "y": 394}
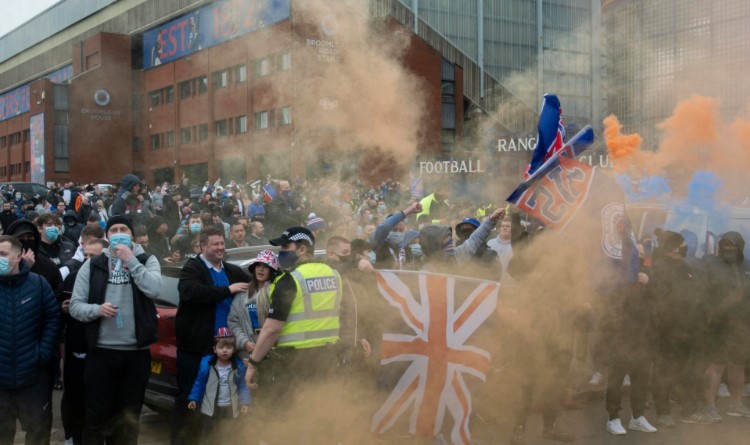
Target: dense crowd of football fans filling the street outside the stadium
{"x": 80, "y": 270}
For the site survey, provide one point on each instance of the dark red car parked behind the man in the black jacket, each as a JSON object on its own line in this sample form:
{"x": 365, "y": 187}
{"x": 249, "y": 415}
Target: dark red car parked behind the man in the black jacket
{"x": 162, "y": 386}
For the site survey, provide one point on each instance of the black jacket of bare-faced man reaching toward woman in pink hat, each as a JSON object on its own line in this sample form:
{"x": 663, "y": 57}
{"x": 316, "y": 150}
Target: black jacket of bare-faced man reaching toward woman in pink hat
{"x": 194, "y": 323}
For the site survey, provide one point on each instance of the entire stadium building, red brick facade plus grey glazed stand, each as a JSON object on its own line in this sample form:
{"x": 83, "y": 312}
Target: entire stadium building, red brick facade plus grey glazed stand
{"x": 93, "y": 89}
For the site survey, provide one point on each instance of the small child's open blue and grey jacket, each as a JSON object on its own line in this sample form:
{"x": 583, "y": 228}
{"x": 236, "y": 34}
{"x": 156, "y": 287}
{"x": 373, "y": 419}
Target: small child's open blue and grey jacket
{"x": 205, "y": 390}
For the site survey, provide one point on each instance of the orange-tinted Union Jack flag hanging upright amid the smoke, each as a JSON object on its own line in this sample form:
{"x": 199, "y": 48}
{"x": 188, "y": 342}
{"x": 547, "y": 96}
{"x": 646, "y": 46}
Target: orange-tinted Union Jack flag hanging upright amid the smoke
{"x": 443, "y": 319}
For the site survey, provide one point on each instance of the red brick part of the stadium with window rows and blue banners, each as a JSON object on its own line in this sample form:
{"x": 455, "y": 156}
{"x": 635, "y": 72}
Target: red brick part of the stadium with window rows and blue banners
{"x": 141, "y": 102}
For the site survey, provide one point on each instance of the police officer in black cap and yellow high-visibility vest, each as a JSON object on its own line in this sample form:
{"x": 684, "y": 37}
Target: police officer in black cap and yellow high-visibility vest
{"x": 305, "y": 339}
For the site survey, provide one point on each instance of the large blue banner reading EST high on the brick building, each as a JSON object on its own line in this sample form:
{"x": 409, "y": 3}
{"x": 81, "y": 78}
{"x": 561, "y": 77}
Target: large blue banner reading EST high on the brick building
{"x": 208, "y": 26}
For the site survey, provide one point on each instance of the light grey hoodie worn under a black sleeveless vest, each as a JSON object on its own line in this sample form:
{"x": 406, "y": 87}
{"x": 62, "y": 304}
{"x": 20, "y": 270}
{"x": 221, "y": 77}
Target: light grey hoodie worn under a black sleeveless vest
{"x": 120, "y": 293}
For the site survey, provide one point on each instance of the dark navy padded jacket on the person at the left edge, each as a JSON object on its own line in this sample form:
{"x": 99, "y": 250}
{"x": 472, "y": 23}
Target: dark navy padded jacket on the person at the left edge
{"x": 30, "y": 320}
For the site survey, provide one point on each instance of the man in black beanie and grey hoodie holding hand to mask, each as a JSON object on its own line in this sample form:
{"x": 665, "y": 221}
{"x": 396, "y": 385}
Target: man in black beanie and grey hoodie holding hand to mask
{"x": 114, "y": 296}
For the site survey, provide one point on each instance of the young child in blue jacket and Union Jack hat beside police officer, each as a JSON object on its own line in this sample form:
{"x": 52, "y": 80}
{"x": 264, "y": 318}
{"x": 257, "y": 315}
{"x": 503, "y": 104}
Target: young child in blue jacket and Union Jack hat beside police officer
{"x": 220, "y": 389}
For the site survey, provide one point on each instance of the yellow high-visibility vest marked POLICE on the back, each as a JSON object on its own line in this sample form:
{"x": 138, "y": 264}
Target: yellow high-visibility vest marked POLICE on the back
{"x": 314, "y": 317}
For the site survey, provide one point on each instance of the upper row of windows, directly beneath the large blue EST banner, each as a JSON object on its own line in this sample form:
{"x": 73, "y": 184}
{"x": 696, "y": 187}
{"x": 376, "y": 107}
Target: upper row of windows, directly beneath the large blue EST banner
{"x": 222, "y": 79}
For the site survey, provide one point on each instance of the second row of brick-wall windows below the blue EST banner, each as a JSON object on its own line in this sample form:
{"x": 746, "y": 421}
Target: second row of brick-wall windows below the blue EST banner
{"x": 233, "y": 126}
